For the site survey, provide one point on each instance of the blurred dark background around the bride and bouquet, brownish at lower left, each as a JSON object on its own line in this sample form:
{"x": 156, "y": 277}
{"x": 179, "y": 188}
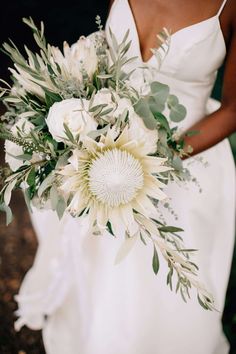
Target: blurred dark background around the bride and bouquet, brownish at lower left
{"x": 63, "y": 21}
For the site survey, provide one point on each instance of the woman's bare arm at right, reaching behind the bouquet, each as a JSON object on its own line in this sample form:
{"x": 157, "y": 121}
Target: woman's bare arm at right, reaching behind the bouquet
{"x": 220, "y": 124}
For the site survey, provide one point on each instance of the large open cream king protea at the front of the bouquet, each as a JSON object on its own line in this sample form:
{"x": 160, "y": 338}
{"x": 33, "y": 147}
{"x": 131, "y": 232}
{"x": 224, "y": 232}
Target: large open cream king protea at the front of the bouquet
{"x": 111, "y": 180}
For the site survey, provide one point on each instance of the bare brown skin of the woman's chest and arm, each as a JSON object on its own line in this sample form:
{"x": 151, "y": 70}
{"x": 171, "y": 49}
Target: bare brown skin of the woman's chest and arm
{"x": 152, "y": 15}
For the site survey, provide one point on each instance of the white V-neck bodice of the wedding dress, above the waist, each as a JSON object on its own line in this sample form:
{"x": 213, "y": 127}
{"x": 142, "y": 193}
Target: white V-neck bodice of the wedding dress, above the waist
{"x": 190, "y": 66}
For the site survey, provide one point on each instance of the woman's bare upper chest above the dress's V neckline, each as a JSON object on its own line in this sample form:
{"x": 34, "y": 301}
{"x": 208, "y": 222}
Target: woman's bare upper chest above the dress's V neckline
{"x": 150, "y": 18}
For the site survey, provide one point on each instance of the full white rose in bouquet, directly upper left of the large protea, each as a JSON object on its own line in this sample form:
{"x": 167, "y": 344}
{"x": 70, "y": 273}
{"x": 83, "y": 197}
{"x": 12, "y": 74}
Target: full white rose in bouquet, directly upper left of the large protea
{"x": 74, "y": 113}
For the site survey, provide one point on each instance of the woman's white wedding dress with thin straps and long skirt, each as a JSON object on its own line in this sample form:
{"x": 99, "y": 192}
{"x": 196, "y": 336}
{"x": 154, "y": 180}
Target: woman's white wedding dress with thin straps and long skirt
{"x": 87, "y": 305}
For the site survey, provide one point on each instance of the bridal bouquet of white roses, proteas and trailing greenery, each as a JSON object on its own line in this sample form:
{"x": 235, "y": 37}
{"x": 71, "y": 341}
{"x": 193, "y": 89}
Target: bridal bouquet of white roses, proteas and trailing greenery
{"x": 80, "y": 139}
